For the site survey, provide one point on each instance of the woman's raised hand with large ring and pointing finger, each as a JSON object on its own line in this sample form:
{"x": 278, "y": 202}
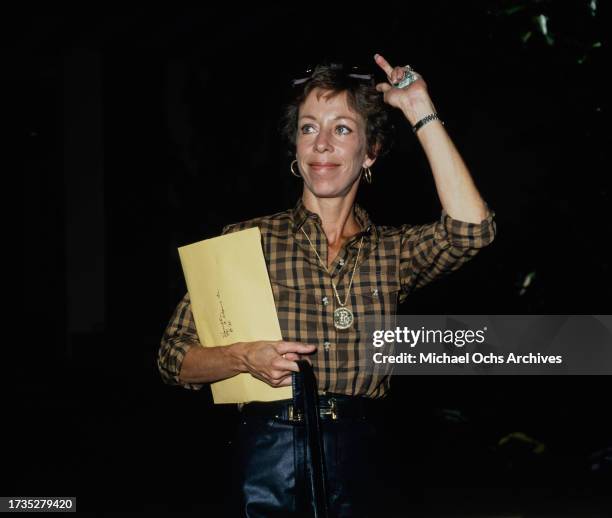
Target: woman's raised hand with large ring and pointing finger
{"x": 413, "y": 100}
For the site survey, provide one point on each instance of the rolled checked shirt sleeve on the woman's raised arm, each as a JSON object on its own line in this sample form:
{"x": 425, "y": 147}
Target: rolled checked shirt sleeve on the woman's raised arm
{"x": 433, "y": 250}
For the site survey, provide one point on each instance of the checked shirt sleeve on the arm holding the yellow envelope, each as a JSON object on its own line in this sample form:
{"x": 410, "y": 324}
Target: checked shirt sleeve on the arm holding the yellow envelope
{"x": 180, "y": 335}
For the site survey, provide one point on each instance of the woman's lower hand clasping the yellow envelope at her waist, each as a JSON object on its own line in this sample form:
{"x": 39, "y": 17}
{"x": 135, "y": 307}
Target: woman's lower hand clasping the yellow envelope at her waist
{"x": 274, "y": 361}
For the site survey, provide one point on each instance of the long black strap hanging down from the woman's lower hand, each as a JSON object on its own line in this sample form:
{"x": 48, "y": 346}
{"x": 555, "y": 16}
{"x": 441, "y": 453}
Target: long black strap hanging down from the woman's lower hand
{"x": 306, "y": 402}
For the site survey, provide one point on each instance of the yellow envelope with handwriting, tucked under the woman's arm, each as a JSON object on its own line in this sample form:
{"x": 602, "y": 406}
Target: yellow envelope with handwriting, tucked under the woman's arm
{"x": 232, "y": 301}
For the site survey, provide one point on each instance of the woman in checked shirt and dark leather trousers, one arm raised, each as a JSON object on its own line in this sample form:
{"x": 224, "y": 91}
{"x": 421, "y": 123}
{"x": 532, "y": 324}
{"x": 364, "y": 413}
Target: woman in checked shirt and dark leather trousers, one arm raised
{"x": 330, "y": 266}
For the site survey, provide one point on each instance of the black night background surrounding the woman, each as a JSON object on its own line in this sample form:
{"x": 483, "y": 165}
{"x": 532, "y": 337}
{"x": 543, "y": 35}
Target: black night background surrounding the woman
{"x": 142, "y": 130}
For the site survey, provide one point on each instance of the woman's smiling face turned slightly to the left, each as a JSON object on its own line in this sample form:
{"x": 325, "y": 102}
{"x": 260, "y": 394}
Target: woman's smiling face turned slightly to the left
{"x": 330, "y": 145}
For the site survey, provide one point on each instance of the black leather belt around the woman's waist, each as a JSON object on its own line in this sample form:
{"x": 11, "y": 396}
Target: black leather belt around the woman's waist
{"x": 331, "y": 407}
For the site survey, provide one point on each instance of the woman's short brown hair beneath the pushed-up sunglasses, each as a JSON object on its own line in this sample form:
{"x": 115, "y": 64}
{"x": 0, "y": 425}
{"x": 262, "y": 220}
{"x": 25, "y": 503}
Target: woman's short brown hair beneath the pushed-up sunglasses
{"x": 362, "y": 97}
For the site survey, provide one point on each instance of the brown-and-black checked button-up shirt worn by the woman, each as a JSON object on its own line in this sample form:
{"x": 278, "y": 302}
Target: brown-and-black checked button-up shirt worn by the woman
{"x": 393, "y": 262}
